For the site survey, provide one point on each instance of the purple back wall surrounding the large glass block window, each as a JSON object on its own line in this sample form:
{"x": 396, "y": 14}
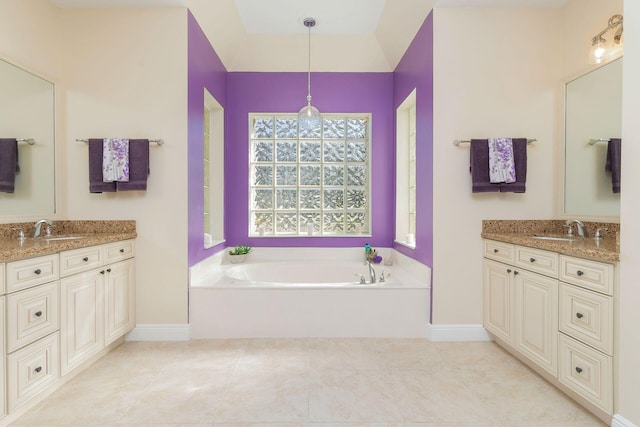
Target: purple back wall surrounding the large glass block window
{"x": 286, "y": 93}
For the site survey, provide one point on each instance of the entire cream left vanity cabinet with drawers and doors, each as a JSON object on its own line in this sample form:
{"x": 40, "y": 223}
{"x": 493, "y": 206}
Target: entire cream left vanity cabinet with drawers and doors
{"x": 56, "y": 313}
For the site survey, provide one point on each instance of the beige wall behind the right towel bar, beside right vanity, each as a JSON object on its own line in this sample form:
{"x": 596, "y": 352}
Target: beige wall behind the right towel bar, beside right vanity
{"x": 496, "y": 74}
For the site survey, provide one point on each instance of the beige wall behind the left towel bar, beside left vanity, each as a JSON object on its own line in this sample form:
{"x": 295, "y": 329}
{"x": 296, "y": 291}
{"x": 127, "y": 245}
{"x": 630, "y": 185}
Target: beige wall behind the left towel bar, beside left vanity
{"x": 125, "y": 73}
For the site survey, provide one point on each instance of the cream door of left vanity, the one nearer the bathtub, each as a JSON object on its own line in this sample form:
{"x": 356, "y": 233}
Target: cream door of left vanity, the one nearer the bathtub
{"x": 120, "y": 299}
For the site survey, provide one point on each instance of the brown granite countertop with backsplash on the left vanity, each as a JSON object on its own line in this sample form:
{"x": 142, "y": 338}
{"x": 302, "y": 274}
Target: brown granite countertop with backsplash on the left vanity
{"x": 93, "y": 232}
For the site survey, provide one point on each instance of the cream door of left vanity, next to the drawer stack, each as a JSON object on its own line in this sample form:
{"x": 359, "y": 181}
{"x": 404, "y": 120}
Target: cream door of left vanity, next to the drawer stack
{"x": 82, "y": 310}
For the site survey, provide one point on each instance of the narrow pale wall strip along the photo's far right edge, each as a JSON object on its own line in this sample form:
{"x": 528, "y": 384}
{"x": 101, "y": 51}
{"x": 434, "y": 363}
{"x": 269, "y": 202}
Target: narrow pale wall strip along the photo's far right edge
{"x": 629, "y": 396}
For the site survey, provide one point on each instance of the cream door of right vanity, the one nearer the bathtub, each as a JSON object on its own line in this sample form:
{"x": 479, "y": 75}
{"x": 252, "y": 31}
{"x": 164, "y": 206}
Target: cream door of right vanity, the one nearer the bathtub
{"x": 498, "y": 299}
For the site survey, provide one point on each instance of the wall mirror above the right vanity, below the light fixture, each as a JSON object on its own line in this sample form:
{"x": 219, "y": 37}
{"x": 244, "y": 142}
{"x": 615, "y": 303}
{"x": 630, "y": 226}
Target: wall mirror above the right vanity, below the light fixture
{"x": 593, "y": 111}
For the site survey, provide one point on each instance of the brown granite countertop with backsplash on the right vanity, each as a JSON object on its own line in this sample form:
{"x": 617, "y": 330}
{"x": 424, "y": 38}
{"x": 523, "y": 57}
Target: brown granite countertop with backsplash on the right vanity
{"x": 520, "y": 233}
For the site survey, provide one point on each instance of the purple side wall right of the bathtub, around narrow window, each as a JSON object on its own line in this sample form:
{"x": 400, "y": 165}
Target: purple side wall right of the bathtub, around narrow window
{"x": 415, "y": 70}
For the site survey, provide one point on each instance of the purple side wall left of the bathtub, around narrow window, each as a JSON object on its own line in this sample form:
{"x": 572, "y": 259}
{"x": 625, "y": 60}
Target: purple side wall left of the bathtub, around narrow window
{"x": 205, "y": 70}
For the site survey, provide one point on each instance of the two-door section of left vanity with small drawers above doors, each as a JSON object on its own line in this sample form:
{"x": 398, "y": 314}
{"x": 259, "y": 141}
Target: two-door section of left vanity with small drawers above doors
{"x": 97, "y": 302}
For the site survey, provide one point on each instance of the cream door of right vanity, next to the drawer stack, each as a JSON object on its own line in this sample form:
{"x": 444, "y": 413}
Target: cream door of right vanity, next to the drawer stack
{"x": 536, "y": 312}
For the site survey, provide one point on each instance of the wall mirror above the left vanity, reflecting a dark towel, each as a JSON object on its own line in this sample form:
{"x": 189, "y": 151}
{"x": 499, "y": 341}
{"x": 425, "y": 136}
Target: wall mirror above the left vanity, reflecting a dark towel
{"x": 27, "y": 112}
